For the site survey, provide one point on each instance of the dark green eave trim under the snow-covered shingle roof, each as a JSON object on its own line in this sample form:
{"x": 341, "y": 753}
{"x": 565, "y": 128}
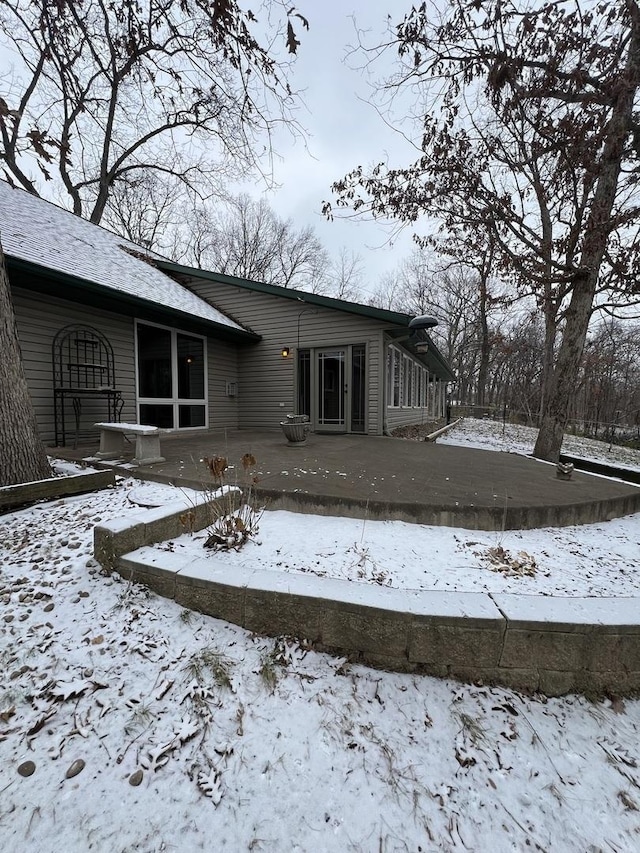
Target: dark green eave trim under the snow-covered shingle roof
{"x": 46, "y": 281}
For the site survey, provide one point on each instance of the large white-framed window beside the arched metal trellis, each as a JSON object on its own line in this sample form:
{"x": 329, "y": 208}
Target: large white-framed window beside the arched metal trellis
{"x": 172, "y": 383}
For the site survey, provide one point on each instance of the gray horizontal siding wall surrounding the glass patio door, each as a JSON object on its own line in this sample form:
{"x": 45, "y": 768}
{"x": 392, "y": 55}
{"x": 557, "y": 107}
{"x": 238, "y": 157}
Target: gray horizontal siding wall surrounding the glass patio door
{"x": 267, "y": 380}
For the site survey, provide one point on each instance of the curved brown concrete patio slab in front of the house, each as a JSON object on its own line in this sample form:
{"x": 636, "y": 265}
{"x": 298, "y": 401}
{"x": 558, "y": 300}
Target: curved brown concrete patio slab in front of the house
{"x": 388, "y": 478}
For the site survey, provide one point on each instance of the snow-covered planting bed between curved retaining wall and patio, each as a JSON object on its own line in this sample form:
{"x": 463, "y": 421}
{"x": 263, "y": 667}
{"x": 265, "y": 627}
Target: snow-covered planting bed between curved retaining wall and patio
{"x": 587, "y": 560}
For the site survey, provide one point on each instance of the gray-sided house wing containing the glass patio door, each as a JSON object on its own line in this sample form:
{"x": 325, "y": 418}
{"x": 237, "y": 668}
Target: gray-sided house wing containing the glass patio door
{"x": 349, "y": 367}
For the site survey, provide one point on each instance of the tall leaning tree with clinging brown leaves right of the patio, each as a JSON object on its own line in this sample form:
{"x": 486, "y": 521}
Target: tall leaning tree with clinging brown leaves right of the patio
{"x": 530, "y": 126}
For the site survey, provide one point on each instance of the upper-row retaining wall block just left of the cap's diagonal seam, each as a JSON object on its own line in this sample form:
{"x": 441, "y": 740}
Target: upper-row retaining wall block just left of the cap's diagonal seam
{"x": 432, "y": 641}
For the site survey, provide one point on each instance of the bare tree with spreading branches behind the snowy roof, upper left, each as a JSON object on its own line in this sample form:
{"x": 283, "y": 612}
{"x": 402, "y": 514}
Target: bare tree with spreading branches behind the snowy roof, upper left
{"x": 105, "y": 90}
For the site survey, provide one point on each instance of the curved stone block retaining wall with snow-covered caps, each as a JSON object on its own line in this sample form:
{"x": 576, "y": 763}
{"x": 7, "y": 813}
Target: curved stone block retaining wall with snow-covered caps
{"x": 557, "y": 646}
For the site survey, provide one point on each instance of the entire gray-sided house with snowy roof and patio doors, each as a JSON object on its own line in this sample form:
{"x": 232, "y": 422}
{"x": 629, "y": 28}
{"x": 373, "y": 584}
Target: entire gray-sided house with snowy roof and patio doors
{"x": 194, "y": 350}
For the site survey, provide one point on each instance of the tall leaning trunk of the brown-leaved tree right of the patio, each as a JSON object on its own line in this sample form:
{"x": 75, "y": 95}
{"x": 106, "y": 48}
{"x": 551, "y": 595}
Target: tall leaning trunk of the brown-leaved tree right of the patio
{"x": 596, "y": 236}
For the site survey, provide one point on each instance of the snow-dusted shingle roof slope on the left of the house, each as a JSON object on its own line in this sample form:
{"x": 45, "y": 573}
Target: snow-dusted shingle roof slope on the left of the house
{"x": 39, "y": 232}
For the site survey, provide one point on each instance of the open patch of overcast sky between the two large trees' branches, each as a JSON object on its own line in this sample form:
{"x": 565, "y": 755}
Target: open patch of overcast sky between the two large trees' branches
{"x": 344, "y": 130}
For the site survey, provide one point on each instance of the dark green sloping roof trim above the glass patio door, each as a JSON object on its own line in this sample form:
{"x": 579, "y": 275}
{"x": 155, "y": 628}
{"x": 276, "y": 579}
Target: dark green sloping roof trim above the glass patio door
{"x": 369, "y": 311}
